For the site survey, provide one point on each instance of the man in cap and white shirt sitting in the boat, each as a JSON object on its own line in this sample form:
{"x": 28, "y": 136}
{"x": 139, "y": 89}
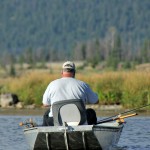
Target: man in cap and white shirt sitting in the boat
{"x": 68, "y": 88}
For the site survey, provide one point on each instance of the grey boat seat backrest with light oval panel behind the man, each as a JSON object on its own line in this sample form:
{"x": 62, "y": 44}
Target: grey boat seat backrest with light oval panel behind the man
{"x": 72, "y": 112}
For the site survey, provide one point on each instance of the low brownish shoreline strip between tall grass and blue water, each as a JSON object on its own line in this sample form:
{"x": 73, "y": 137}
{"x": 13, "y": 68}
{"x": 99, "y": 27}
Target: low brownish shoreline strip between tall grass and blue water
{"x": 101, "y": 111}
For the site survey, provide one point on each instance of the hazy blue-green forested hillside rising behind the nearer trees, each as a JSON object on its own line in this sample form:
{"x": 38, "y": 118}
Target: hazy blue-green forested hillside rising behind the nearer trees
{"x": 60, "y": 24}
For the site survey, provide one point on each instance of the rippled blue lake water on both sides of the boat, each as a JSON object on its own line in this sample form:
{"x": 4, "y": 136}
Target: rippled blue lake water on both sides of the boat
{"x": 135, "y": 135}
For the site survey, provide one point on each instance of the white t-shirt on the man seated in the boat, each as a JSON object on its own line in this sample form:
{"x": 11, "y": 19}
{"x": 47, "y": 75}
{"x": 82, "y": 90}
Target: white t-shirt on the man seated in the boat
{"x": 68, "y": 88}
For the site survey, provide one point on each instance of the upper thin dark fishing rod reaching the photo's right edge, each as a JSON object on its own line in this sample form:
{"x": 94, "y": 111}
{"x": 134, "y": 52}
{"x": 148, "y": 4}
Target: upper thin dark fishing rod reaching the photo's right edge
{"x": 115, "y": 117}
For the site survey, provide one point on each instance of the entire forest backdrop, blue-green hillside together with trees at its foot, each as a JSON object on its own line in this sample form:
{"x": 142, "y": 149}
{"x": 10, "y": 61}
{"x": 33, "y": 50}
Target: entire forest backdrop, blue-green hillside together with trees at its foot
{"x": 96, "y": 31}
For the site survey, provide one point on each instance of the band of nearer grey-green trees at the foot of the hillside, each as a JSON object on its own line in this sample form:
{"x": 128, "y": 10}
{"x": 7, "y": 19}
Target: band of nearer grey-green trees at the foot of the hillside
{"x": 109, "y": 52}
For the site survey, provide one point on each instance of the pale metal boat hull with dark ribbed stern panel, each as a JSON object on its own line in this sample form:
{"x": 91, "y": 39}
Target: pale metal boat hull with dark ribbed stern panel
{"x": 100, "y": 137}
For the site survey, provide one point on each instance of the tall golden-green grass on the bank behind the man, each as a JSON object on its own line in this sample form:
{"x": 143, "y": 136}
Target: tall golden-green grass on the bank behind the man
{"x": 127, "y": 88}
